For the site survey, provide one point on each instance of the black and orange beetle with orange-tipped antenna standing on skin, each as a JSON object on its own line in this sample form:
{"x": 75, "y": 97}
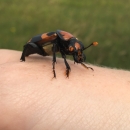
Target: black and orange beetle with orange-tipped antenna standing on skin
{"x": 61, "y": 41}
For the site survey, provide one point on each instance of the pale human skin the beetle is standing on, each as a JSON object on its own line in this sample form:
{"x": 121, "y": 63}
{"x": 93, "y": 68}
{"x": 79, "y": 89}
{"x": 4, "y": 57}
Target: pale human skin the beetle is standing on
{"x": 30, "y": 99}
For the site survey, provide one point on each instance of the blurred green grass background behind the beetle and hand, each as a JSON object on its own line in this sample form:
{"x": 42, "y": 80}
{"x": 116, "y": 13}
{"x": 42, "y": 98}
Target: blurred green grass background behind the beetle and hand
{"x": 106, "y": 22}
